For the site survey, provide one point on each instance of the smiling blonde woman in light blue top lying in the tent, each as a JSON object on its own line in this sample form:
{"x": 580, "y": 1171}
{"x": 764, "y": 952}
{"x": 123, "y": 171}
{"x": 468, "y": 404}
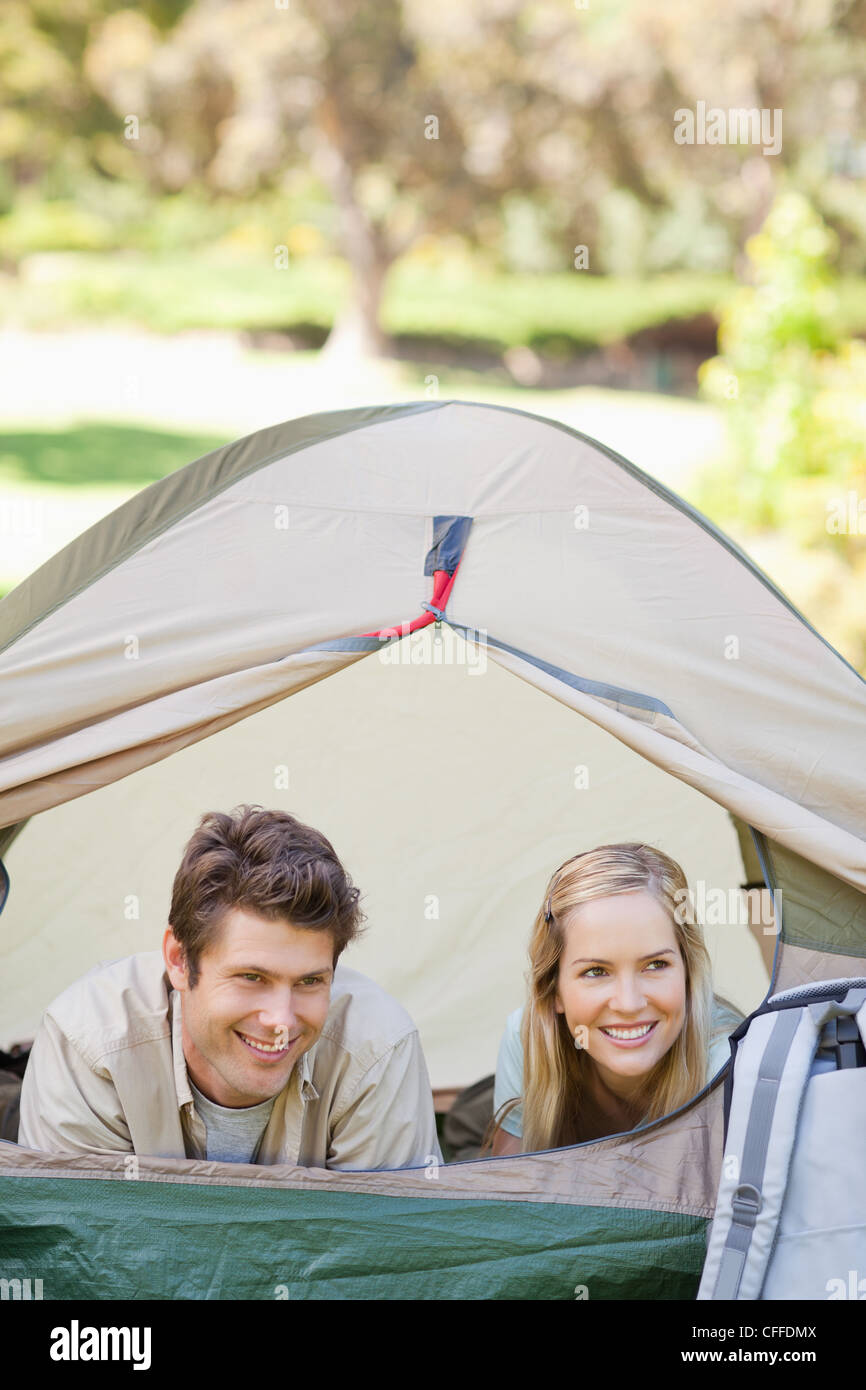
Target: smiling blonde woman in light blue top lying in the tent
{"x": 621, "y": 1025}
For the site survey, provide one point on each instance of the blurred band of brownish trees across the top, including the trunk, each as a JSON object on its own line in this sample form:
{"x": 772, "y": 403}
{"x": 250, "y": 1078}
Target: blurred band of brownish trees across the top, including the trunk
{"x": 523, "y": 127}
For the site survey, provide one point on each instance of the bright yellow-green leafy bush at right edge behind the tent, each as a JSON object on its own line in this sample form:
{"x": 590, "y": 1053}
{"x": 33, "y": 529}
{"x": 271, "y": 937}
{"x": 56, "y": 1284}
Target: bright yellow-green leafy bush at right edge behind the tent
{"x": 793, "y": 386}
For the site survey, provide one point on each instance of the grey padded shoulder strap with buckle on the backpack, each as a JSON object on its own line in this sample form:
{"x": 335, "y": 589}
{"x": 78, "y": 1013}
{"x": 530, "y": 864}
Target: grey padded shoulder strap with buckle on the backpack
{"x": 771, "y": 1075}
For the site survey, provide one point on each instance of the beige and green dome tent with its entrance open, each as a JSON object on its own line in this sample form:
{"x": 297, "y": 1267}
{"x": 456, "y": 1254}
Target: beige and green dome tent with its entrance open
{"x": 422, "y": 557}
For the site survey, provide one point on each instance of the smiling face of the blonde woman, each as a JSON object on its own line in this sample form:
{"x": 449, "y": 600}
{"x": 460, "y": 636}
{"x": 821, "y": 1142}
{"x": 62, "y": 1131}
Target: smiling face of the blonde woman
{"x": 622, "y": 983}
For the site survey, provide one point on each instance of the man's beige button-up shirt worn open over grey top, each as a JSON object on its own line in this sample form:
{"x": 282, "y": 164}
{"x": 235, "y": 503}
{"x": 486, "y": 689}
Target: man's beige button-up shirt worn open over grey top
{"x": 108, "y": 1074}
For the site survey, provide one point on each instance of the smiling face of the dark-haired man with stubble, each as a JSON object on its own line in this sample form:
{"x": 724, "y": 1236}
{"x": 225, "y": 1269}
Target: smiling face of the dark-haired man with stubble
{"x": 261, "y": 1003}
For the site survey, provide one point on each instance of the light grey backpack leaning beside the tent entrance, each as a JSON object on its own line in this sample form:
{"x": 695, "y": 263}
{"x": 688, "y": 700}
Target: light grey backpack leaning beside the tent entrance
{"x": 792, "y": 1214}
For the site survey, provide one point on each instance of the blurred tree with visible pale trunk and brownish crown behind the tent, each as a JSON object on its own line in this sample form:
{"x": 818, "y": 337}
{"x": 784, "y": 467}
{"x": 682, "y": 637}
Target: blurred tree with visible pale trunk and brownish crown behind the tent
{"x": 238, "y": 94}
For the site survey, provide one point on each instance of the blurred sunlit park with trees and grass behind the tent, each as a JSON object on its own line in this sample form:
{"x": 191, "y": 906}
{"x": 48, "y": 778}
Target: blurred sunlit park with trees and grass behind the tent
{"x": 226, "y": 213}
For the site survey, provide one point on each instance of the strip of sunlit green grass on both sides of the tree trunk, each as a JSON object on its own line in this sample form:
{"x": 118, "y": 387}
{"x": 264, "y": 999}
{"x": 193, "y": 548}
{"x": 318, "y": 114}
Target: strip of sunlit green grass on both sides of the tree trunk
{"x": 459, "y": 302}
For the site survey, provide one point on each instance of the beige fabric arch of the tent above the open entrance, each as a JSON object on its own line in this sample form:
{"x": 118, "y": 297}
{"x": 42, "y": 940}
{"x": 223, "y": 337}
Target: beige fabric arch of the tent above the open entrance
{"x": 640, "y": 596}
